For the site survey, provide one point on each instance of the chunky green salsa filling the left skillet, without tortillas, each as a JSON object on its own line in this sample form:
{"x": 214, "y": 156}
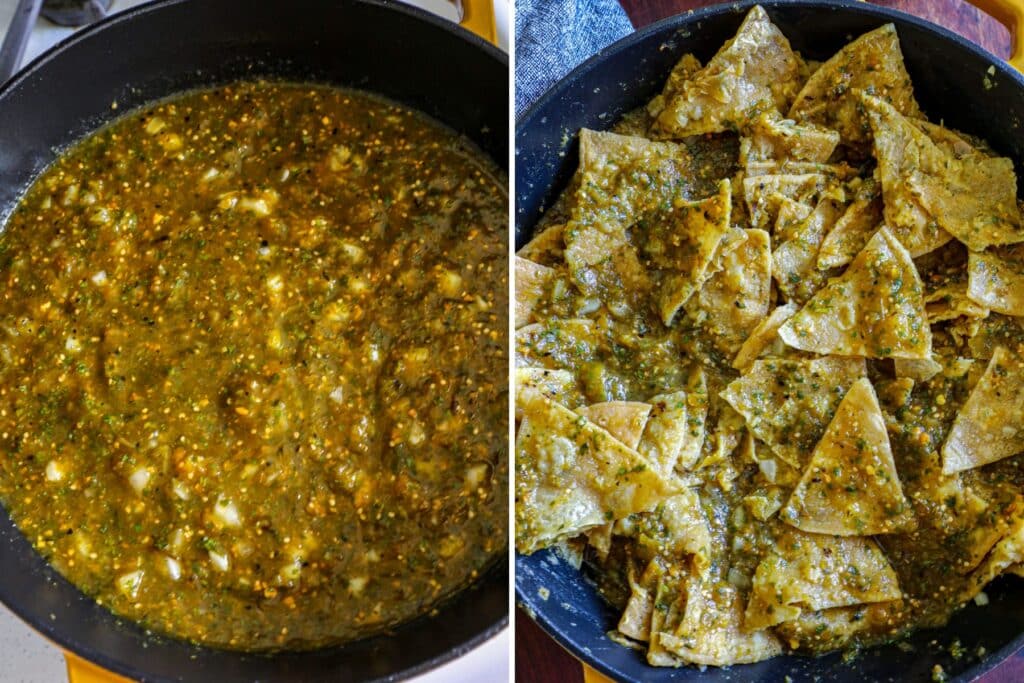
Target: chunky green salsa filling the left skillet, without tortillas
{"x": 253, "y": 386}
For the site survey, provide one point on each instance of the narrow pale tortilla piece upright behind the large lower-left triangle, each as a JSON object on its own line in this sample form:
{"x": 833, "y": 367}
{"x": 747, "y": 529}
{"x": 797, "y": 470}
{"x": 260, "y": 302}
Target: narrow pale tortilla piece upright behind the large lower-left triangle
{"x": 669, "y": 434}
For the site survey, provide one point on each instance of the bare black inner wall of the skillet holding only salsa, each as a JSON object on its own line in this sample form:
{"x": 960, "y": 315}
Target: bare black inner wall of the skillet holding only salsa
{"x": 162, "y": 49}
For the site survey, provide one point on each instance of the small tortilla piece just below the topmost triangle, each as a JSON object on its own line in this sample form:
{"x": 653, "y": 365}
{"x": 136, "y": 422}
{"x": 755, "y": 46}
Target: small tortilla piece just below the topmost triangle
{"x": 775, "y": 139}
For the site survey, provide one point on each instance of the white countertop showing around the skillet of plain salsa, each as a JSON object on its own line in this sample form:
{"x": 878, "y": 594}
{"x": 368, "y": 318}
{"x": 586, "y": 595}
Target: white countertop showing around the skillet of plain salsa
{"x": 29, "y": 659}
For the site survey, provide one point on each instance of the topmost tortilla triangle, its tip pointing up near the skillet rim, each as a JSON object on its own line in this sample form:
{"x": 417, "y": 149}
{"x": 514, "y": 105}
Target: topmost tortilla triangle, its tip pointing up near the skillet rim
{"x": 755, "y": 71}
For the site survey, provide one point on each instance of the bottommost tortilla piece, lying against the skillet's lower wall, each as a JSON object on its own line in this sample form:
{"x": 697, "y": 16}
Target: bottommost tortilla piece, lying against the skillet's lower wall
{"x": 711, "y": 632}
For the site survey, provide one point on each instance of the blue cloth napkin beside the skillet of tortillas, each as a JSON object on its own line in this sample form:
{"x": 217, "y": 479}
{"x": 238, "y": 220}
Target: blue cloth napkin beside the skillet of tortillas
{"x": 554, "y": 36}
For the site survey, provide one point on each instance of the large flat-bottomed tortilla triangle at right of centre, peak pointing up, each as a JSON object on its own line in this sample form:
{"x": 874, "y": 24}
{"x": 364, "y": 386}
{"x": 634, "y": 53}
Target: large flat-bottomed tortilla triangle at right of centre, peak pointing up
{"x": 875, "y": 310}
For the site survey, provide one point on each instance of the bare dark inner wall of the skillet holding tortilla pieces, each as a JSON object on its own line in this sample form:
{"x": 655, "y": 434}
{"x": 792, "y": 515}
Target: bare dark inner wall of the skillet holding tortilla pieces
{"x": 950, "y": 77}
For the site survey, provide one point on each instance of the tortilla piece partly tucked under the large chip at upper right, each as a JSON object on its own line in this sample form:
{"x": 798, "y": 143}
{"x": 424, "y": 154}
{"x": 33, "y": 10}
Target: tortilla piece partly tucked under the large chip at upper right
{"x": 902, "y": 149}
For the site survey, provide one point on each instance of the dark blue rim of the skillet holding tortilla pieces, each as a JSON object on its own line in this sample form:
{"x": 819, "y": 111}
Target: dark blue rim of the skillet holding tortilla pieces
{"x": 536, "y": 609}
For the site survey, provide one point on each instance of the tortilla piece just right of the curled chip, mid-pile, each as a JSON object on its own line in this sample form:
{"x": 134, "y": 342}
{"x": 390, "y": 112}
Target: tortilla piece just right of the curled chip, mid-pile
{"x": 736, "y": 298}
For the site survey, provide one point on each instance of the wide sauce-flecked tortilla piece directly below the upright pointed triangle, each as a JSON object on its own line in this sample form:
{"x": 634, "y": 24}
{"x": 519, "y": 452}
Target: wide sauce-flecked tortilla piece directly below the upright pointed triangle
{"x": 814, "y": 572}
